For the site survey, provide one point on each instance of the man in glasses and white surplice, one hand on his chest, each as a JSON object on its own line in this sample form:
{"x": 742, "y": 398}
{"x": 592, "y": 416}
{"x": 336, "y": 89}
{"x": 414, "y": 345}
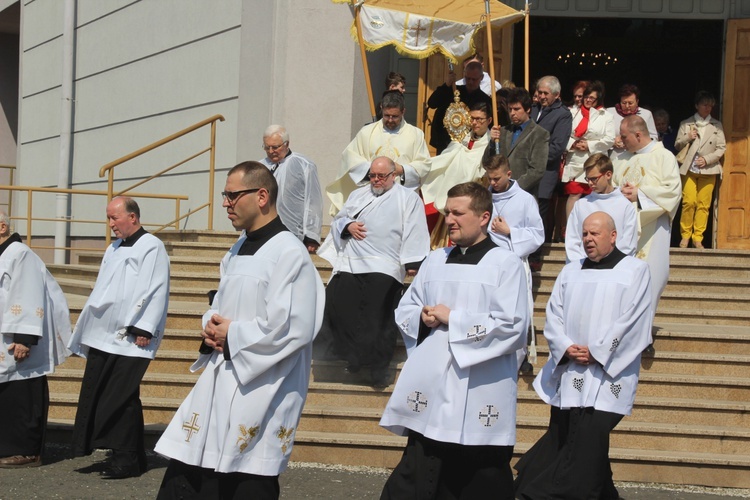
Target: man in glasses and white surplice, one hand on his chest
{"x": 378, "y": 238}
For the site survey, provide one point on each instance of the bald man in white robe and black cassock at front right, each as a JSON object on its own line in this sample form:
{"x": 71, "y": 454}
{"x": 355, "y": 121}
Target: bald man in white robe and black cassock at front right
{"x": 598, "y": 323}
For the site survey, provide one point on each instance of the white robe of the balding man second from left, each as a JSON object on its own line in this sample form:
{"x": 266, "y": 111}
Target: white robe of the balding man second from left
{"x": 132, "y": 289}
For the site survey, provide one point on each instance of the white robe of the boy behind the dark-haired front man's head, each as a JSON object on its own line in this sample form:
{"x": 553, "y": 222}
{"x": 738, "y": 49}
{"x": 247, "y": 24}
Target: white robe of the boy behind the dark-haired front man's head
{"x": 521, "y": 212}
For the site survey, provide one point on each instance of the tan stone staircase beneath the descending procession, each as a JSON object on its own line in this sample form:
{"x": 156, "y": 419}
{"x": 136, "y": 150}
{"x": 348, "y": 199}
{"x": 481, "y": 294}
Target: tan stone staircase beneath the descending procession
{"x": 690, "y": 424}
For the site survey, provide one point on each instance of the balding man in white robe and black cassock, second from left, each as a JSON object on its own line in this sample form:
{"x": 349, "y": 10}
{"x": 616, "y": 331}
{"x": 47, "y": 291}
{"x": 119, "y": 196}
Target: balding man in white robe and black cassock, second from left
{"x": 118, "y": 332}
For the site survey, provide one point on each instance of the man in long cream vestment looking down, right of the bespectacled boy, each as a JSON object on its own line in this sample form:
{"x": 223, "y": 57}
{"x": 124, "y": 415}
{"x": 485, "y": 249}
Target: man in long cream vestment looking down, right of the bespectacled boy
{"x": 648, "y": 175}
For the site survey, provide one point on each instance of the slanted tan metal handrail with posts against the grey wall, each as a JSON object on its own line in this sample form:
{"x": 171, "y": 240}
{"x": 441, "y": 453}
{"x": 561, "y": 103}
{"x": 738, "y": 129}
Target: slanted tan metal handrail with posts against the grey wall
{"x": 109, "y": 168}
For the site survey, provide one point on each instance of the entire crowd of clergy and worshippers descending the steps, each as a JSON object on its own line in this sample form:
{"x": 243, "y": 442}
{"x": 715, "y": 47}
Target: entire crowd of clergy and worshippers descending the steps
{"x": 467, "y": 225}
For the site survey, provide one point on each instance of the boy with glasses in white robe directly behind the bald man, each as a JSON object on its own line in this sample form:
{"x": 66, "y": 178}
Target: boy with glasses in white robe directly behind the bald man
{"x": 603, "y": 198}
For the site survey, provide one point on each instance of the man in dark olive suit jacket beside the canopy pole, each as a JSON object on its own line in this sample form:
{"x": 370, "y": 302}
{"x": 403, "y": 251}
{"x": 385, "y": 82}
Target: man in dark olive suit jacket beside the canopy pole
{"x": 524, "y": 143}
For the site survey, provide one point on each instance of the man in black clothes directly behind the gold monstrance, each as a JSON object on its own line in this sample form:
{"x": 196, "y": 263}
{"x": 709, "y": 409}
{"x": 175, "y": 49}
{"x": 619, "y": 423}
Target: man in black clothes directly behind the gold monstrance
{"x": 470, "y": 94}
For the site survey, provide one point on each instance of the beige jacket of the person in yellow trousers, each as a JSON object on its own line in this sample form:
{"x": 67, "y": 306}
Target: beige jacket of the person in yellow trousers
{"x": 710, "y": 144}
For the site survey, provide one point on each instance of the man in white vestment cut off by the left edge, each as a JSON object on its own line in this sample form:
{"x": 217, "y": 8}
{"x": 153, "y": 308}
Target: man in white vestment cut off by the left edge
{"x": 35, "y": 328}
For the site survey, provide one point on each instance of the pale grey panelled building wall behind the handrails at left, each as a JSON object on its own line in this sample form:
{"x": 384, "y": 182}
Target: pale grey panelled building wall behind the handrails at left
{"x": 143, "y": 70}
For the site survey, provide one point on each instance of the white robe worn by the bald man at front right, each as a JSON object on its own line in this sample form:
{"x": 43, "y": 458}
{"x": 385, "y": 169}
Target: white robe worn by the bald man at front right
{"x": 608, "y": 310}
